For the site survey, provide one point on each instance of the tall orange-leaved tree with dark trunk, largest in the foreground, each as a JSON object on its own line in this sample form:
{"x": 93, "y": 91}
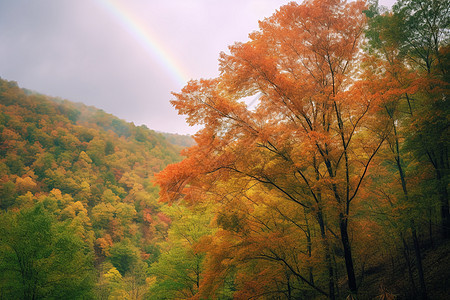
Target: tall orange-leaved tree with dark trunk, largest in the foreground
{"x": 312, "y": 134}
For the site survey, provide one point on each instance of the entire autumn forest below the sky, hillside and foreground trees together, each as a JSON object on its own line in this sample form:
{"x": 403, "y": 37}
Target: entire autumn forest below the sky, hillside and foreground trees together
{"x": 321, "y": 172}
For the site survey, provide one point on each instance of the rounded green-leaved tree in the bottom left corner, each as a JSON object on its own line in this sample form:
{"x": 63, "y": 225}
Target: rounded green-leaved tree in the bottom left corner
{"x": 42, "y": 258}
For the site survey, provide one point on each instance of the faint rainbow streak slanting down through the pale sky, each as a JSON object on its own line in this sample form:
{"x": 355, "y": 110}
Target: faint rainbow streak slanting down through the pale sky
{"x": 148, "y": 40}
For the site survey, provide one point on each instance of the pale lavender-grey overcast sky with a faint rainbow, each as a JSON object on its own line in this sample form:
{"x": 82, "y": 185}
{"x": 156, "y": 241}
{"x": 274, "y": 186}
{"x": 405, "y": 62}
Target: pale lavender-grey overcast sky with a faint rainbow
{"x": 123, "y": 56}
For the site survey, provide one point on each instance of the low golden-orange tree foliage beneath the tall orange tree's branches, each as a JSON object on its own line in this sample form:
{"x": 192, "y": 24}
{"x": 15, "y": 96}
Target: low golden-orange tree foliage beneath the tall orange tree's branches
{"x": 263, "y": 245}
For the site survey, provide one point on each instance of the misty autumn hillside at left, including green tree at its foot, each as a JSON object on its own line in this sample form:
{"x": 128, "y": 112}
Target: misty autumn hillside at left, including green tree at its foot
{"x": 80, "y": 216}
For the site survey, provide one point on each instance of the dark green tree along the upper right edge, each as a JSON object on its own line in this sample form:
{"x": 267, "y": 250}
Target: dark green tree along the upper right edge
{"x": 423, "y": 28}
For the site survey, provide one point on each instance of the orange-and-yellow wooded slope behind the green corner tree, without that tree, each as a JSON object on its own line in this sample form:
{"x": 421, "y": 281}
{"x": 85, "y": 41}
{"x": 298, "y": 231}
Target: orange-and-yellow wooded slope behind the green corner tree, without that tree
{"x": 88, "y": 170}
